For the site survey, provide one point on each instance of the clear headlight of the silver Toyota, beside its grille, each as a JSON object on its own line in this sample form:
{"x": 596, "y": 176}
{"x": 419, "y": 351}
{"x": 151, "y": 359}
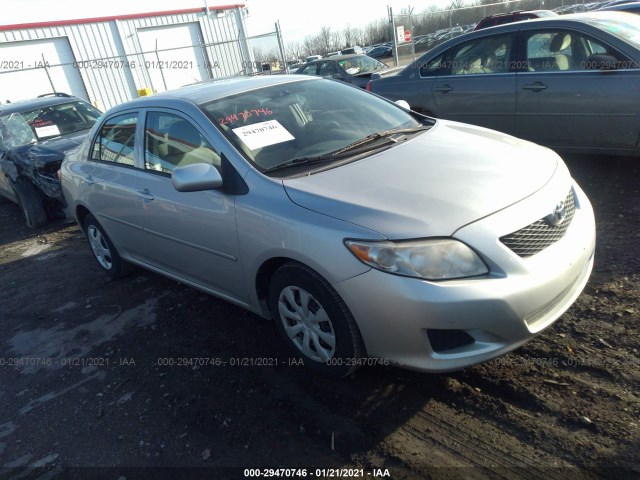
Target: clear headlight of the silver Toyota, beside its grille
{"x": 434, "y": 259}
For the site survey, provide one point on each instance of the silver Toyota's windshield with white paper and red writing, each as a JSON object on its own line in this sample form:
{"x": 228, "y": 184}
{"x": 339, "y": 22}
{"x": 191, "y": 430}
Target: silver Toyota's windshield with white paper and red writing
{"x": 275, "y": 125}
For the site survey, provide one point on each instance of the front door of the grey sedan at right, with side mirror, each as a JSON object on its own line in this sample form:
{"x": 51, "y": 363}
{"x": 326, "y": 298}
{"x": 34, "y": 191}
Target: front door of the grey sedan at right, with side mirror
{"x": 564, "y": 100}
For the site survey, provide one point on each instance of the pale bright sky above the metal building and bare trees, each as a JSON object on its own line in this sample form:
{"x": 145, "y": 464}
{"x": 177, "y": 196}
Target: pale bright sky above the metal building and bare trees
{"x": 297, "y": 19}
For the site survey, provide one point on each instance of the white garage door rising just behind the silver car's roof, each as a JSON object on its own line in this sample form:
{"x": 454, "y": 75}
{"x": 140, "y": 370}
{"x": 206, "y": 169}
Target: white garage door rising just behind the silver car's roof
{"x": 183, "y": 64}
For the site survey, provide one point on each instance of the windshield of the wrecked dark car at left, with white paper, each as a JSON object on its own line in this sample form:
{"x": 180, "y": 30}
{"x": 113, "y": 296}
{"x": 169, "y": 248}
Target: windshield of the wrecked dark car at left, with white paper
{"x": 23, "y": 128}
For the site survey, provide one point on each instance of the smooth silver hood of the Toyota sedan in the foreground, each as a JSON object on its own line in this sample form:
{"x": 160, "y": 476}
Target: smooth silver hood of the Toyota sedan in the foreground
{"x": 435, "y": 183}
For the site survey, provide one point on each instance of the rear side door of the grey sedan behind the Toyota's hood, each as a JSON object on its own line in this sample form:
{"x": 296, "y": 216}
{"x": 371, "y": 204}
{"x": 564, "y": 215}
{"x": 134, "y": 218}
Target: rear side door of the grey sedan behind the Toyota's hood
{"x": 476, "y": 85}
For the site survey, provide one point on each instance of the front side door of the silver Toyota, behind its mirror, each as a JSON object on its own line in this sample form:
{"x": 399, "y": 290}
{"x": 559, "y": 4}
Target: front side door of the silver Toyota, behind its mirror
{"x": 189, "y": 234}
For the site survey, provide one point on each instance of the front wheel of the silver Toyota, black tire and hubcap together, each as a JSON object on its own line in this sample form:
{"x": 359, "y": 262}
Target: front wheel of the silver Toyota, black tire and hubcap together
{"x": 314, "y": 321}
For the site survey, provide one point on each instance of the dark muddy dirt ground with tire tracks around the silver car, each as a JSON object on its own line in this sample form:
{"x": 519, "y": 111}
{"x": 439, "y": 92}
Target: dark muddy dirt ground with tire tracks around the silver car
{"x": 92, "y": 384}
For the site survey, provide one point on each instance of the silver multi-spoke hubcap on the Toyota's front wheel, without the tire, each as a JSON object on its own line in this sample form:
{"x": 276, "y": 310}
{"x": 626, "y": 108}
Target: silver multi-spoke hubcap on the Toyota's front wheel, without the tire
{"x": 307, "y": 324}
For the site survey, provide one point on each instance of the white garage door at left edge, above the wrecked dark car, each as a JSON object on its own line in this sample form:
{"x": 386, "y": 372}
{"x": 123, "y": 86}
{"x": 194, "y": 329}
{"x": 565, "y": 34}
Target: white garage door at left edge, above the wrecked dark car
{"x": 18, "y": 83}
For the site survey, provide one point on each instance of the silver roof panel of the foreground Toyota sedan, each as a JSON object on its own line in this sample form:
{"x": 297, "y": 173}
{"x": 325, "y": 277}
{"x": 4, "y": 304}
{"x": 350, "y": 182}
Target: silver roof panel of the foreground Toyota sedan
{"x": 215, "y": 89}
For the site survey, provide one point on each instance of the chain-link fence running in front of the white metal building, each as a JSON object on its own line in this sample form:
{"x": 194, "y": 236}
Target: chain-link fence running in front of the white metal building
{"x": 110, "y": 80}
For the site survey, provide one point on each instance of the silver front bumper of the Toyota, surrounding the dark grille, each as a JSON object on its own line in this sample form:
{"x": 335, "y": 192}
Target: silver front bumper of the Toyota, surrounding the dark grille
{"x": 500, "y": 311}
